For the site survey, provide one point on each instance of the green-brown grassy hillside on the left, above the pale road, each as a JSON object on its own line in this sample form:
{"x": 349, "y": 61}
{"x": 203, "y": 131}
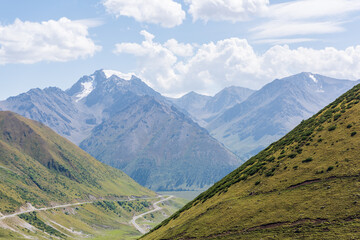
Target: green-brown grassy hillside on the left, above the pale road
{"x": 38, "y": 166}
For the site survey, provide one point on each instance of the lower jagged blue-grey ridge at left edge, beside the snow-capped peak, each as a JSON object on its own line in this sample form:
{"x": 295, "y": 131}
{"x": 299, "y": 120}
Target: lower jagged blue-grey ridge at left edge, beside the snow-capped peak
{"x": 55, "y": 108}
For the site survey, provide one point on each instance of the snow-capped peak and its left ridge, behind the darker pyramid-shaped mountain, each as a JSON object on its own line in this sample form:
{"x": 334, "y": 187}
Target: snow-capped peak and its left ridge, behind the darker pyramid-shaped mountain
{"x": 74, "y": 112}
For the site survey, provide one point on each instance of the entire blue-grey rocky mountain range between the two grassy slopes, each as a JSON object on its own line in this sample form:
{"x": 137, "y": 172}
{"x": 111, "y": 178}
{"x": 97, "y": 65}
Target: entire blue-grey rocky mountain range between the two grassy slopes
{"x": 160, "y": 142}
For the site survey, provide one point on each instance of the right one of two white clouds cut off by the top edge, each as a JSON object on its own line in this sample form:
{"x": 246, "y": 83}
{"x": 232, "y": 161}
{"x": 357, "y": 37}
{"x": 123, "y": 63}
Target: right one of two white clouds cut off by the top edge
{"x": 226, "y": 10}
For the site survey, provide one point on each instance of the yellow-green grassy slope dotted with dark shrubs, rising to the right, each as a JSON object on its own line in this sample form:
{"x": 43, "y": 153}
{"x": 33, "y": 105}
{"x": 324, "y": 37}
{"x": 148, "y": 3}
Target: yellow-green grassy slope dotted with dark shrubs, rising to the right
{"x": 304, "y": 186}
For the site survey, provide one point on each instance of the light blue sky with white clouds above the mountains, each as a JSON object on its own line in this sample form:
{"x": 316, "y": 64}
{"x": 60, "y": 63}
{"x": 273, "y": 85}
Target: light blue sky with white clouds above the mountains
{"x": 176, "y": 46}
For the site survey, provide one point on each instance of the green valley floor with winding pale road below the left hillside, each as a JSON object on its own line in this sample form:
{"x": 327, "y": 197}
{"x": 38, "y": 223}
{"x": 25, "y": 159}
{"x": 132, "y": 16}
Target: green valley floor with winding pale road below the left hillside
{"x": 98, "y": 219}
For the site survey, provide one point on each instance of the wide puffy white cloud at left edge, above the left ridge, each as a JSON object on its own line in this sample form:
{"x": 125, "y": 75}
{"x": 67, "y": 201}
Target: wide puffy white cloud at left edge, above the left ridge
{"x": 31, "y": 42}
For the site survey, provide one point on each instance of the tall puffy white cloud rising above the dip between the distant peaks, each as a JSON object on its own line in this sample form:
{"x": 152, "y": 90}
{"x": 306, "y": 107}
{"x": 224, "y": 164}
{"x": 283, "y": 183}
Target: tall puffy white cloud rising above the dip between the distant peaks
{"x": 217, "y": 65}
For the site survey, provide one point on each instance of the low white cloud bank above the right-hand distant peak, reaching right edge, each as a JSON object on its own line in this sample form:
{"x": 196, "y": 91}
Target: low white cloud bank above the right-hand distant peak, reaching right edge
{"x": 281, "y": 61}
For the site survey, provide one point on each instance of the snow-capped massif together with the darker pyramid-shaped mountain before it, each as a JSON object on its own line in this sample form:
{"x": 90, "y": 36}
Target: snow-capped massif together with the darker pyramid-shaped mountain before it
{"x": 126, "y": 124}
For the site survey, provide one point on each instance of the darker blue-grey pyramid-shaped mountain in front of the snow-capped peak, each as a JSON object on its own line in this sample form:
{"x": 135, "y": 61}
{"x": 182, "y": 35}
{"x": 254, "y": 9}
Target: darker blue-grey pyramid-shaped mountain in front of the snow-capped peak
{"x": 159, "y": 146}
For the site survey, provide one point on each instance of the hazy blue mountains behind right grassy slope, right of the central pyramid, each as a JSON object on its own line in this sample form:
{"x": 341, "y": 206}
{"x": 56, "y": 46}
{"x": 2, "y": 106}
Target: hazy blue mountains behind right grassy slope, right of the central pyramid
{"x": 257, "y": 118}
